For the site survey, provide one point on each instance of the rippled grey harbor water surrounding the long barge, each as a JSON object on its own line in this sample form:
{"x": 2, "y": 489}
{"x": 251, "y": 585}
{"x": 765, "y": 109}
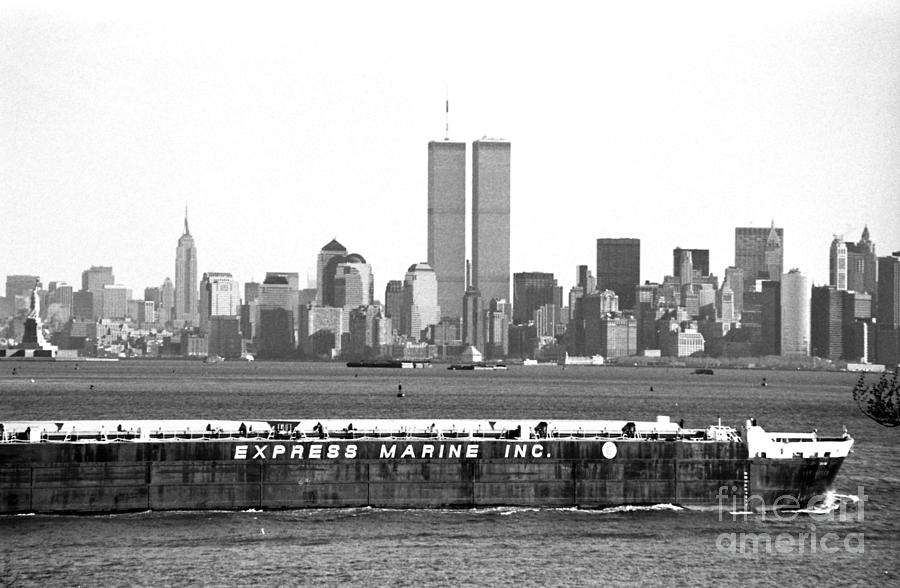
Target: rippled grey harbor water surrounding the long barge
{"x": 661, "y": 545}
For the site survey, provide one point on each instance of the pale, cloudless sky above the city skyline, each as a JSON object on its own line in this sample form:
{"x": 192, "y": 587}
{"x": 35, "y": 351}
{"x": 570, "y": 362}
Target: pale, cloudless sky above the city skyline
{"x": 284, "y": 126}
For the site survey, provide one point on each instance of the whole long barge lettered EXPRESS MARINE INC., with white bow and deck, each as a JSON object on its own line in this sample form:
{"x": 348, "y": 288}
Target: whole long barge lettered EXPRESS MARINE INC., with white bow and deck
{"x": 138, "y": 465}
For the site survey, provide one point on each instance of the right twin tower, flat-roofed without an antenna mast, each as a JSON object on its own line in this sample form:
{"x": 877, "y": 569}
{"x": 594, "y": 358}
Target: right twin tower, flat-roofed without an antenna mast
{"x": 491, "y": 218}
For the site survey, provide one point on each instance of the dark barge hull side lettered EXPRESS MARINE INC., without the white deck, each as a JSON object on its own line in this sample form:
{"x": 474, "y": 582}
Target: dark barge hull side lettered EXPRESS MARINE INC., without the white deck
{"x": 94, "y": 477}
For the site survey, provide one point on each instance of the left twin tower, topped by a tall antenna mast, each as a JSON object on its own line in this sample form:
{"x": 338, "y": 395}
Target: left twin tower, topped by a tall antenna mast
{"x": 447, "y": 222}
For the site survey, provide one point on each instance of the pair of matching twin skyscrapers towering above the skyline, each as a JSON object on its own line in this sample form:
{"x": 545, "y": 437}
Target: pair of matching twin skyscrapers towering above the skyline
{"x": 490, "y": 220}
